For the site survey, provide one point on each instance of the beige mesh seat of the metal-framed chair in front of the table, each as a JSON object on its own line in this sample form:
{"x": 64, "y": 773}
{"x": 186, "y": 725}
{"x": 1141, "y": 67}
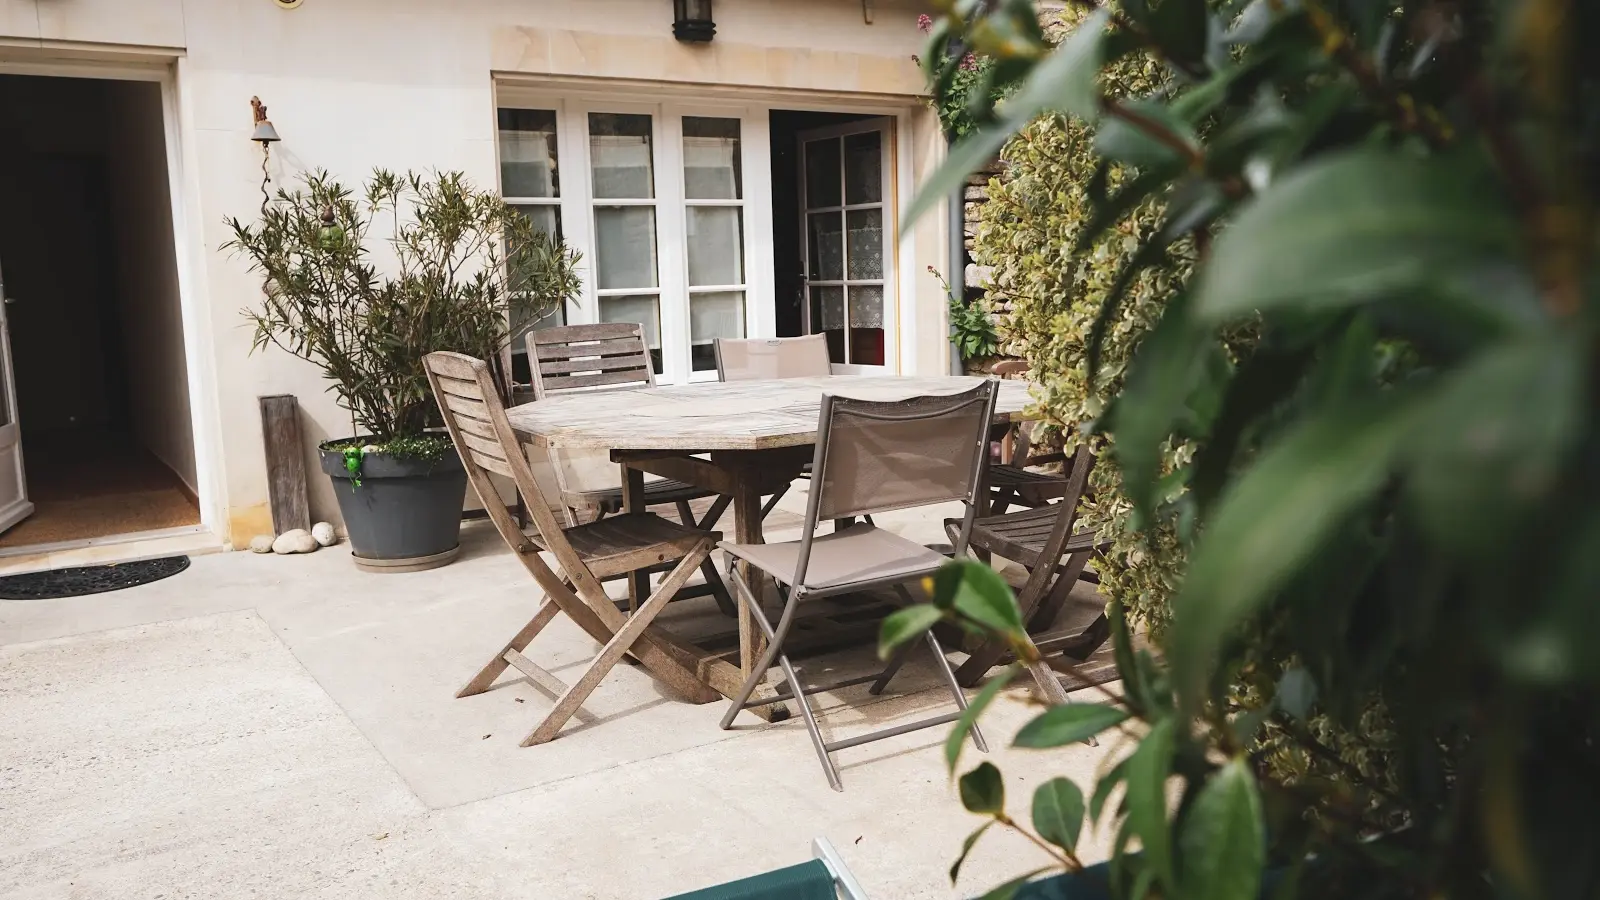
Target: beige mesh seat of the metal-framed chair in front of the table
{"x": 854, "y": 556}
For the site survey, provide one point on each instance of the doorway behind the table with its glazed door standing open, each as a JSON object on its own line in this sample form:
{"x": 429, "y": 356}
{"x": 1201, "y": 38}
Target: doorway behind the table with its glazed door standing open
{"x": 833, "y": 233}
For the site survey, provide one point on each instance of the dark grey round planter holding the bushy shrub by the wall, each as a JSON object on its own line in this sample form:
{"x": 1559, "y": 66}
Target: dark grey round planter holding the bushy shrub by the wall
{"x": 406, "y": 516}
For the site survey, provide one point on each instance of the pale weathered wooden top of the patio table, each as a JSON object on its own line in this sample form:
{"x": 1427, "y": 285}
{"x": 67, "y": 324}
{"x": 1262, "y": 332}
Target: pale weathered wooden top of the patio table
{"x": 724, "y": 416}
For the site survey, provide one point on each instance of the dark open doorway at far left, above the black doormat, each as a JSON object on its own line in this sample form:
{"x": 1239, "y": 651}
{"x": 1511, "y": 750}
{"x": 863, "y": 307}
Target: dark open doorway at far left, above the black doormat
{"x": 97, "y": 392}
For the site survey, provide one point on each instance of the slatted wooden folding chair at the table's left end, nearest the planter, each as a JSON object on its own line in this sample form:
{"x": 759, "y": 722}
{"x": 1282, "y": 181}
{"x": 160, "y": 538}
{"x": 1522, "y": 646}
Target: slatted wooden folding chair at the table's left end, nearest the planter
{"x": 585, "y": 553}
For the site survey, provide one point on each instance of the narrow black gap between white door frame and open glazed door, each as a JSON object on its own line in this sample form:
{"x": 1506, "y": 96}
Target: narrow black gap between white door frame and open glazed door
{"x": 788, "y": 265}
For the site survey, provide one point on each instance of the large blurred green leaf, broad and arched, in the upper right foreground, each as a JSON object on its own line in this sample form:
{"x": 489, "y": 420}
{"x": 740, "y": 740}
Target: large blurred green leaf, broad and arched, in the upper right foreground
{"x": 1358, "y": 227}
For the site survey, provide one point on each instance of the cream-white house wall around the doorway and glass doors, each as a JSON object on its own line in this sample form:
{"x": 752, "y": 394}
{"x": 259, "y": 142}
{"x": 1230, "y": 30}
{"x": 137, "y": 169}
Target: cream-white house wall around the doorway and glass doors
{"x": 410, "y": 84}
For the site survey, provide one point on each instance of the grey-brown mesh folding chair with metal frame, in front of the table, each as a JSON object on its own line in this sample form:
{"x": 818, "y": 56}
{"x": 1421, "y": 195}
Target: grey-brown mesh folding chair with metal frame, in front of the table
{"x": 871, "y": 457}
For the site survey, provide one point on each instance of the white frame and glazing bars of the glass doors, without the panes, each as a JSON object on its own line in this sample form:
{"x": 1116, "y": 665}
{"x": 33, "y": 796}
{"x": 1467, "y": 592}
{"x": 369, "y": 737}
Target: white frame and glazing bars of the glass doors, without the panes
{"x": 572, "y": 106}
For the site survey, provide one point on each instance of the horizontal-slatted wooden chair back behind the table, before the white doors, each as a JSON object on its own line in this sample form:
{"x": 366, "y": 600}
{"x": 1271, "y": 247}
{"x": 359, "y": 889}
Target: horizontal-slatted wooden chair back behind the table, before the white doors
{"x": 575, "y": 358}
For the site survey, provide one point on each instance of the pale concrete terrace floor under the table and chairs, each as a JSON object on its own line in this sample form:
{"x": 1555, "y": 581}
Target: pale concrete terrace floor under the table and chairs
{"x": 287, "y": 728}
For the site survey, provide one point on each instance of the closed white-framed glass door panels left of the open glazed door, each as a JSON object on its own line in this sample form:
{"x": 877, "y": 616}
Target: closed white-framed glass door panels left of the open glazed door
{"x": 670, "y": 206}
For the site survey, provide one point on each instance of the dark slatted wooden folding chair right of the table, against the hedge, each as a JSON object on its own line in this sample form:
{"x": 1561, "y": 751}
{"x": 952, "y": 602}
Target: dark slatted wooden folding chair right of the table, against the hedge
{"x": 1047, "y": 544}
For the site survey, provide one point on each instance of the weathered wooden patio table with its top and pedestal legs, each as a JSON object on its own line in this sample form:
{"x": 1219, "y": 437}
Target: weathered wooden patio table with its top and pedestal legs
{"x": 742, "y": 440}
